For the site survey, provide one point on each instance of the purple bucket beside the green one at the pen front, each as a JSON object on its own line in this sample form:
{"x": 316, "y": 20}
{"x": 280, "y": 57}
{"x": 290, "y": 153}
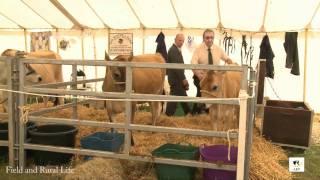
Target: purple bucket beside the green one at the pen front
{"x": 219, "y": 154}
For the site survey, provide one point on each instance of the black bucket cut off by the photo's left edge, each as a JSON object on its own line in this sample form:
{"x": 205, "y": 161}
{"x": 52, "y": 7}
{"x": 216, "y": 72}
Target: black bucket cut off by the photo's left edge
{"x": 4, "y": 136}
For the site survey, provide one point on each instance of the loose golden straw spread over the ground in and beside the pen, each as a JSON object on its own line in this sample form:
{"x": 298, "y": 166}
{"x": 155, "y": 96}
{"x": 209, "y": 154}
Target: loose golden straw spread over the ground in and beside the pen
{"x": 265, "y": 157}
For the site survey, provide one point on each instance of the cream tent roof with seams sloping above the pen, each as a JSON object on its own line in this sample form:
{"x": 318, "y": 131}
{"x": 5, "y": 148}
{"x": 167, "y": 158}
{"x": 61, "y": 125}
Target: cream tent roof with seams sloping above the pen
{"x": 243, "y": 15}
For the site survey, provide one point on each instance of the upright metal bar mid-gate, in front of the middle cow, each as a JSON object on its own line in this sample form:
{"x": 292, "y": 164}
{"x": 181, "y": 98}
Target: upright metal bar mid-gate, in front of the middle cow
{"x": 128, "y": 135}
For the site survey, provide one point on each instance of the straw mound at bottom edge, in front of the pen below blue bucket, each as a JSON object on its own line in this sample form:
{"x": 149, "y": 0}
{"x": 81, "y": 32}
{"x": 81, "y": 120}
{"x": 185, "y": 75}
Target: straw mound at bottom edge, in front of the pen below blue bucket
{"x": 98, "y": 168}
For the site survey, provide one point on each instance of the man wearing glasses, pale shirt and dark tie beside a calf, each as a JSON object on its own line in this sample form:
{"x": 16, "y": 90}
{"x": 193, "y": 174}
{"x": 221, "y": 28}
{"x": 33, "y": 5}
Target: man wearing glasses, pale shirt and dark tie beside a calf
{"x": 206, "y": 53}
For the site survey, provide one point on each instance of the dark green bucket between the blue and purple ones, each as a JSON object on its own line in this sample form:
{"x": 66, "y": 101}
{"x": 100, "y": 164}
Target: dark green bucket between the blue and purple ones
{"x": 176, "y": 151}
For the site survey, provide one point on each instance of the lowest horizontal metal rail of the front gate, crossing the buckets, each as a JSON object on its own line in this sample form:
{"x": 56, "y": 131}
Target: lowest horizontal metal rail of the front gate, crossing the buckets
{"x": 89, "y": 152}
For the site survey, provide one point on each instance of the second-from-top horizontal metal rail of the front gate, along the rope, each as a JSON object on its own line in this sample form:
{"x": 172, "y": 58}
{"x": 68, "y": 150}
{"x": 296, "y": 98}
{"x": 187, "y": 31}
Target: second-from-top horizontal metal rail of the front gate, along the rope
{"x": 133, "y": 96}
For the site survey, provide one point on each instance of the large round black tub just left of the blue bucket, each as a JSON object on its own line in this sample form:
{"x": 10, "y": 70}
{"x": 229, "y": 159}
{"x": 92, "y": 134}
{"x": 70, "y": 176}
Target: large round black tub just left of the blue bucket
{"x": 54, "y": 135}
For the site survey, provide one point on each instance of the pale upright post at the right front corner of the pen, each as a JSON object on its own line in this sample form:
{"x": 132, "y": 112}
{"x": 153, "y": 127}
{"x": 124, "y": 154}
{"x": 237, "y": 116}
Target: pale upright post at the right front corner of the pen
{"x": 242, "y": 135}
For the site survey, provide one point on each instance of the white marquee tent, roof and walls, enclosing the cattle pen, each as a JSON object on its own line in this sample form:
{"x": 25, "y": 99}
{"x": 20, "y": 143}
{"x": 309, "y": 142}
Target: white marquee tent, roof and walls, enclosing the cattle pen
{"x": 87, "y": 23}
